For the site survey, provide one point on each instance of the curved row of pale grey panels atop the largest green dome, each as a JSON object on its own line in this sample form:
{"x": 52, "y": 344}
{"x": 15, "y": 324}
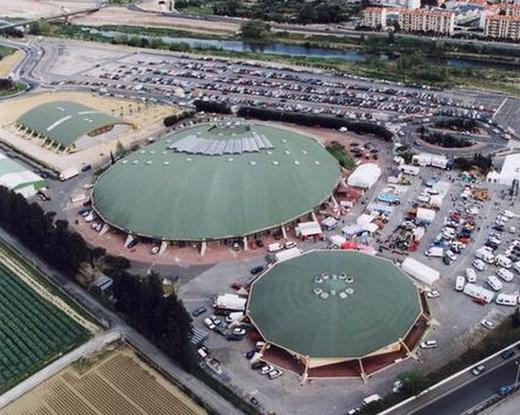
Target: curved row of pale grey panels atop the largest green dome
{"x": 193, "y": 144}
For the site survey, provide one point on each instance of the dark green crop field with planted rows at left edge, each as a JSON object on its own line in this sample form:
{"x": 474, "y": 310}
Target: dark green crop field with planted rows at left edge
{"x": 33, "y": 332}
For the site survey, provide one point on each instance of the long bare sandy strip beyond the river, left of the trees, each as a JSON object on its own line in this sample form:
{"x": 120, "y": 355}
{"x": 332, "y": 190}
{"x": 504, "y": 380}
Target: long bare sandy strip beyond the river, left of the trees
{"x": 122, "y": 16}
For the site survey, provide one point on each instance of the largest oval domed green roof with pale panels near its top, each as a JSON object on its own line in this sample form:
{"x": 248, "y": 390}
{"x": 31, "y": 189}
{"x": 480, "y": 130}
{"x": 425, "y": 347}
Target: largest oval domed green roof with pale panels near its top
{"x": 216, "y": 181}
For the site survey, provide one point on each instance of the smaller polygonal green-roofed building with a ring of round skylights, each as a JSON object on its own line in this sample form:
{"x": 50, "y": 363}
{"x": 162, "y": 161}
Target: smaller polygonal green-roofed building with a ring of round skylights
{"x": 330, "y": 307}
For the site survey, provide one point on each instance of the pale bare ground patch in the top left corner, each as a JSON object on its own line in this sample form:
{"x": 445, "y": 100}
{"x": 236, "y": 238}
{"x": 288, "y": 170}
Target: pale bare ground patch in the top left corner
{"x": 32, "y": 9}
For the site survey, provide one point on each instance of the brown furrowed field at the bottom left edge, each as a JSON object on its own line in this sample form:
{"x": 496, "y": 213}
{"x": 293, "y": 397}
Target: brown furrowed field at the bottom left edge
{"x": 113, "y": 384}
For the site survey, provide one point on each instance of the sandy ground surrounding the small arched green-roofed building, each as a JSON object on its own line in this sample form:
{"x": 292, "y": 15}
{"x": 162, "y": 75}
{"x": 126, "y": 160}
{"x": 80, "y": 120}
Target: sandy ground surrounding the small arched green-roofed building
{"x": 148, "y": 121}
